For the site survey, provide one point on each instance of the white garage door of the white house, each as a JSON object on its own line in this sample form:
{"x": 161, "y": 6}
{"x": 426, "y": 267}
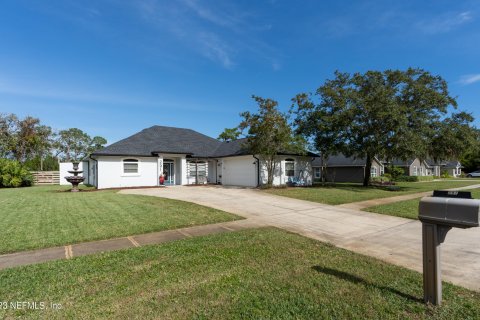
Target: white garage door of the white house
{"x": 239, "y": 171}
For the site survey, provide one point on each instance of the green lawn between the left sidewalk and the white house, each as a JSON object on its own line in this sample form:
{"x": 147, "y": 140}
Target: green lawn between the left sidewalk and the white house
{"x": 39, "y": 217}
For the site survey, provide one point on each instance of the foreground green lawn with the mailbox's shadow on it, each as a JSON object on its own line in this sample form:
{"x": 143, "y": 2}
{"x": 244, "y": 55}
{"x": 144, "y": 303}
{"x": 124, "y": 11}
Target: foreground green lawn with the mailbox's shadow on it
{"x": 252, "y": 274}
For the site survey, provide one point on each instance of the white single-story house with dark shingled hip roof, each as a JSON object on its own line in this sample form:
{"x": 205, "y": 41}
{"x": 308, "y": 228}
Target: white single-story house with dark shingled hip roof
{"x": 187, "y": 157}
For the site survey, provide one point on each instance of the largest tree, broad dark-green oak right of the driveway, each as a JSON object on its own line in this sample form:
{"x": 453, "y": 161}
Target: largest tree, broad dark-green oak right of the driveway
{"x": 390, "y": 114}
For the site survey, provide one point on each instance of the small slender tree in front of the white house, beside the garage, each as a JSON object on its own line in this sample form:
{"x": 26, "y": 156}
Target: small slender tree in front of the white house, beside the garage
{"x": 269, "y": 134}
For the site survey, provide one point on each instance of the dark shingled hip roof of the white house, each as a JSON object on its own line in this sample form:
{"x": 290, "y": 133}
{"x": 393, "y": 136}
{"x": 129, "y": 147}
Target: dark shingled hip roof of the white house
{"x": 161, "y": 139}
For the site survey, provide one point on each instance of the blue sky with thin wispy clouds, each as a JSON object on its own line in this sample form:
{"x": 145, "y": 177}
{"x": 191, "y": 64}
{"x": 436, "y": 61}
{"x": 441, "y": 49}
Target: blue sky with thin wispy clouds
{"x": 113, "y": 67}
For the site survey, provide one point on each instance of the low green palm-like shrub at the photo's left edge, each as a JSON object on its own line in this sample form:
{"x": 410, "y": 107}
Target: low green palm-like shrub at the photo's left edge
{"x": 14, "y": 175}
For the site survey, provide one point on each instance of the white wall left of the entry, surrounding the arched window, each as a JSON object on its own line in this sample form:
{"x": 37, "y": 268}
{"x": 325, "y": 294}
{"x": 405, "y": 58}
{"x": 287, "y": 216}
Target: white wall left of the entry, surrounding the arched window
{"x": 110, "y": 172}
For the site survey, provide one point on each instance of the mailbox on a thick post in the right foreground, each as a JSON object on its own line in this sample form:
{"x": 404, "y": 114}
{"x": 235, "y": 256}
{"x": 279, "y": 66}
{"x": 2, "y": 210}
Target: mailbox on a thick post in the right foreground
{"x": 438, "y": 214}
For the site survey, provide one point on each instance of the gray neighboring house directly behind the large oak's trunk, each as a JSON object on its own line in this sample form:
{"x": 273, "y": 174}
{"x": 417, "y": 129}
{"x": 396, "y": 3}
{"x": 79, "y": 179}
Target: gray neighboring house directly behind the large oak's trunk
{"x": 346, "y": 169}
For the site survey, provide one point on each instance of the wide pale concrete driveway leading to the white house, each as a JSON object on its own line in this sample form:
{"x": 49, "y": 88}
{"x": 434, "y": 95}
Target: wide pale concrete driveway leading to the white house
{"x": 392, "y": 239}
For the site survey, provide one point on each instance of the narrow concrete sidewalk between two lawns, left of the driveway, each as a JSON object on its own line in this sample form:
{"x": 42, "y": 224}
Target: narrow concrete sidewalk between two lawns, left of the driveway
{"x": 86, "y": 248}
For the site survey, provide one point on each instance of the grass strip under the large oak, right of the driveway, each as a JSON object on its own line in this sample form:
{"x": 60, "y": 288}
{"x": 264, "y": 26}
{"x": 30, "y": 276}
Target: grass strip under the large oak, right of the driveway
{"x": 350, "y": 192}
